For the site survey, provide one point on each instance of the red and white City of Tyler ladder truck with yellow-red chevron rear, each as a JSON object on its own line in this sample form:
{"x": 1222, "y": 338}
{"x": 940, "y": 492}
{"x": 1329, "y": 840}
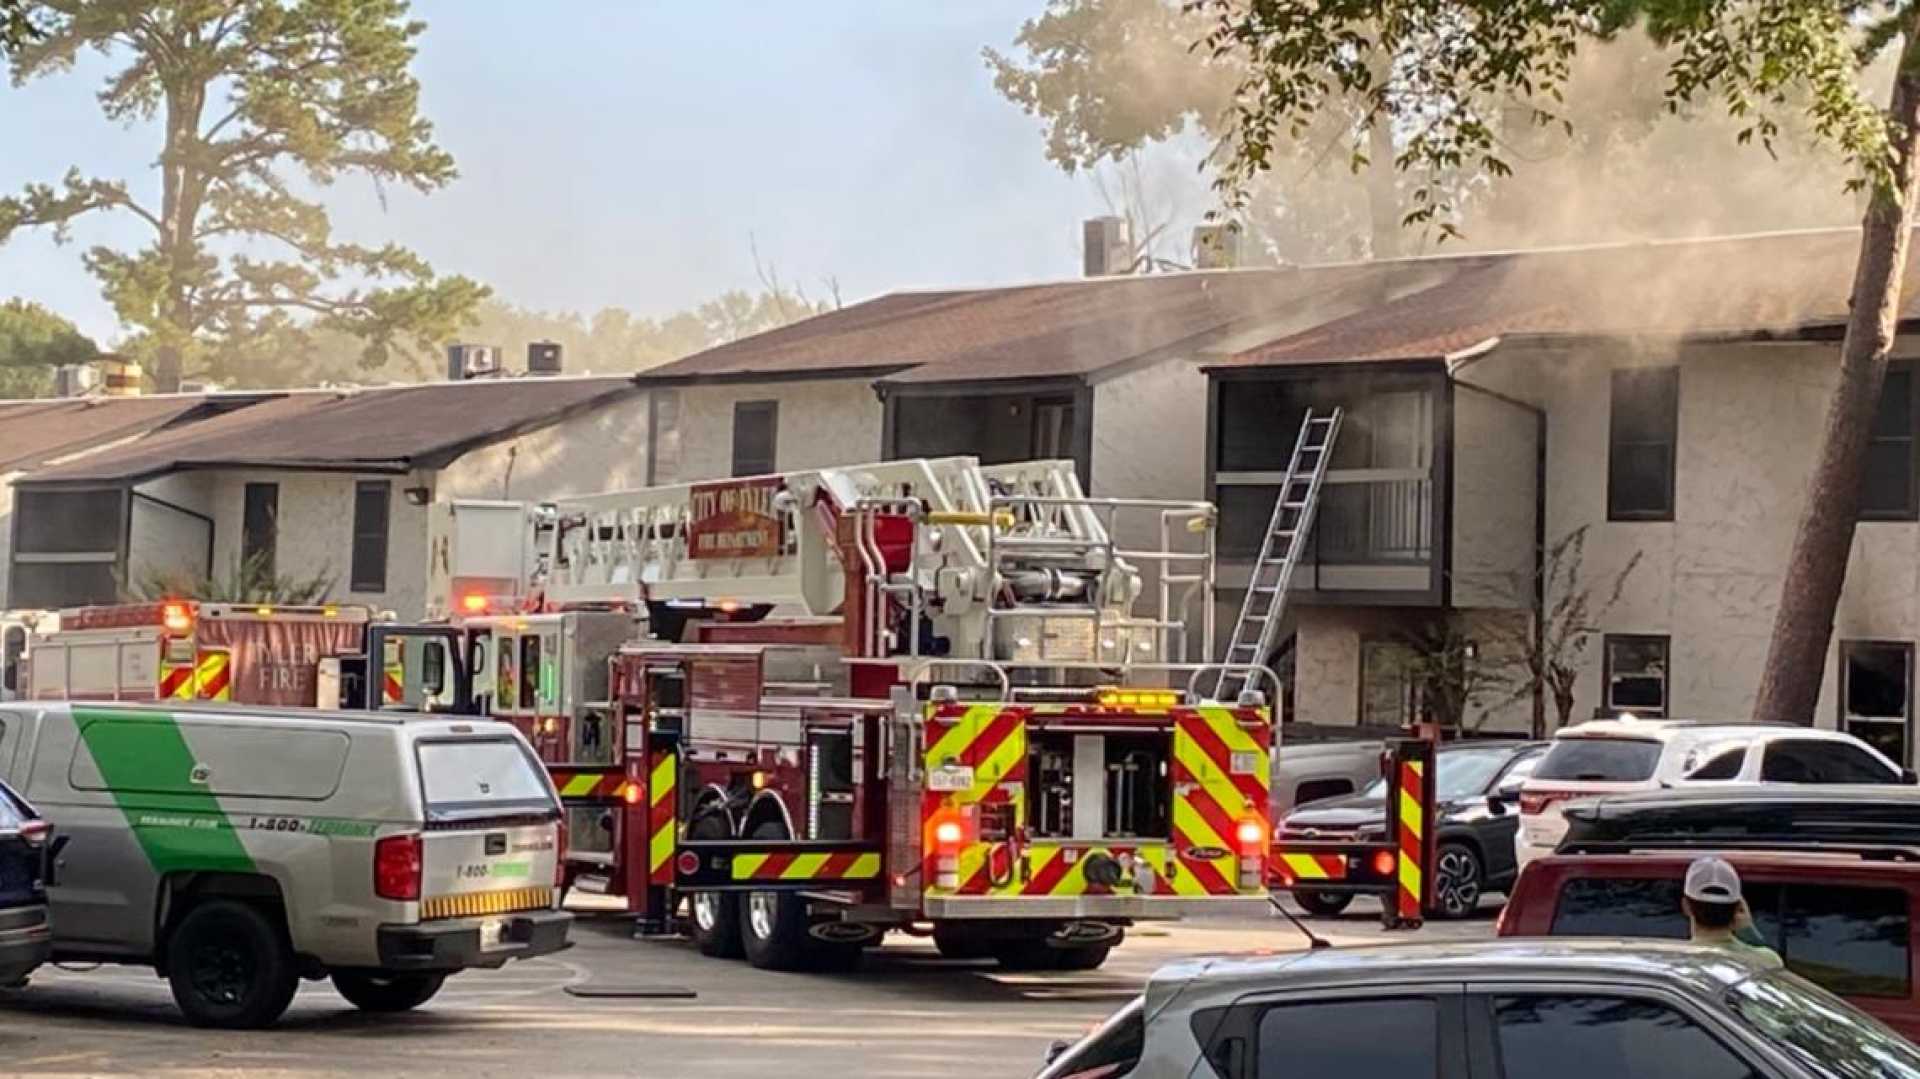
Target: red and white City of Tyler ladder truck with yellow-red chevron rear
{"x": 800, "y": 711}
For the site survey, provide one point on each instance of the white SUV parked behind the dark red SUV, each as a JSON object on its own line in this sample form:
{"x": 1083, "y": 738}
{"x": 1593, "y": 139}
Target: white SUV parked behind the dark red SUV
{"x": 1606, "y": 757}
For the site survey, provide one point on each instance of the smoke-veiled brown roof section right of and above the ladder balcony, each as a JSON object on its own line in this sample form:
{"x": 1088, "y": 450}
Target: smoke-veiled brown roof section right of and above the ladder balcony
{"x": 1744, "y": 285}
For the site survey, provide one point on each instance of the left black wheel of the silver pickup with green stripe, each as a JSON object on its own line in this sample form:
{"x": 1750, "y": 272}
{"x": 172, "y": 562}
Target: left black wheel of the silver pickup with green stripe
{"x": 229, "y": 967}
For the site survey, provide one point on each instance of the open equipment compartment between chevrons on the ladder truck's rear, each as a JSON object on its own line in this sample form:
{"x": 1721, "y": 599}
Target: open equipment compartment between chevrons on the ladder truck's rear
{"x": 1099, "y": 784}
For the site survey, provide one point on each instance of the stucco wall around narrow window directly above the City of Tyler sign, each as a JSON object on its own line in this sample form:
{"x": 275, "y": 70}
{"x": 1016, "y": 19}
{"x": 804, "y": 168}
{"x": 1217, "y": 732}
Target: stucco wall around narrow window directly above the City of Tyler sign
{"x": 821, "y": 423}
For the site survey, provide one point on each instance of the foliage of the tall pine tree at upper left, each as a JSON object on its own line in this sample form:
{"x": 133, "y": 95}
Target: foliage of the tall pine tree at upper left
{"x": 251, "y": 97}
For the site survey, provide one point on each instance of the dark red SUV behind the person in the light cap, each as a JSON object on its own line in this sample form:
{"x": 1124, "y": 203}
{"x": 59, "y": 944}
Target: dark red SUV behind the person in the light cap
{"x": 1838, "y": 896}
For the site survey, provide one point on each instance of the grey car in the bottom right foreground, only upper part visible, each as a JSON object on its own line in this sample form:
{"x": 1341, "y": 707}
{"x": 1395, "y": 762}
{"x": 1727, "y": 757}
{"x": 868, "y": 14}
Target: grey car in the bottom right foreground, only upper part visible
{"x": 1489, "y": 1011}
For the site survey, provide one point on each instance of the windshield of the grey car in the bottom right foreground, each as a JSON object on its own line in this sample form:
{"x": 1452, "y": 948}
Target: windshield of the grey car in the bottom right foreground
{"x": 1823, "y": 1032}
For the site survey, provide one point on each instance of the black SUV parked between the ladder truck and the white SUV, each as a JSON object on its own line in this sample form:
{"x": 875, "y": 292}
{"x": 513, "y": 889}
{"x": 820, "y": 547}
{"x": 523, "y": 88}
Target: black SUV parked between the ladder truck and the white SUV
{"x": 1477, "y": 788}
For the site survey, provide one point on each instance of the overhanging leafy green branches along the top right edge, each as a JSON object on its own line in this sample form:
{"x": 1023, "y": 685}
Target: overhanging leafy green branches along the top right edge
{"x": 1441, "y": 72}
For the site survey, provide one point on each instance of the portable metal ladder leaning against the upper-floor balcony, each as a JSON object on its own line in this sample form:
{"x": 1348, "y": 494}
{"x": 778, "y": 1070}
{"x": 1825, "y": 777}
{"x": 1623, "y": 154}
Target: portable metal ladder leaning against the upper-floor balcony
{"x": 1280, "y": 552}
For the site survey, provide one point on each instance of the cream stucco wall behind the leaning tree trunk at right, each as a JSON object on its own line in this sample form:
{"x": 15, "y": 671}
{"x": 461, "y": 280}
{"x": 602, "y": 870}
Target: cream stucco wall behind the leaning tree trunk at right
{"x": 1750, "y": 421}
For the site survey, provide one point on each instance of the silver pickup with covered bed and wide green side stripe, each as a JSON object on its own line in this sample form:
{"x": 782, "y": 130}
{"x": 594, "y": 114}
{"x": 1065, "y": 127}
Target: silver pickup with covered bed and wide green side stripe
{"x": 241, "y": 850}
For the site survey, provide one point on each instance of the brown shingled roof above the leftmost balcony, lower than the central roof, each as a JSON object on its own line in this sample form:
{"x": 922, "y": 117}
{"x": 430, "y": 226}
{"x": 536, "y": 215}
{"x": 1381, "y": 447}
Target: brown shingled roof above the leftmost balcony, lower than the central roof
{"x": 389, "y": 429}
